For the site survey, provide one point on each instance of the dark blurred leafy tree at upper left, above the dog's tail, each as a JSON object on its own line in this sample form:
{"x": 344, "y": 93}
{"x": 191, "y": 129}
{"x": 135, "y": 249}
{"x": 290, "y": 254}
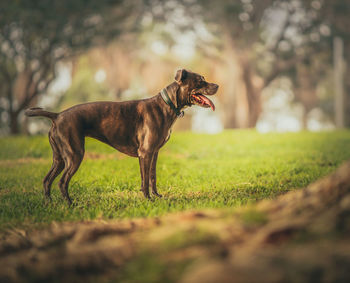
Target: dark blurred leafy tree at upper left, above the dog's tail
{"x": 36, "y": 34}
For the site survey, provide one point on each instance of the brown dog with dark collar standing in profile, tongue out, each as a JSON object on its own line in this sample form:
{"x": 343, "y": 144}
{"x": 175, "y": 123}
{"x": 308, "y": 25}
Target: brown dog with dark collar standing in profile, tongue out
{"x": 138, "y": 128}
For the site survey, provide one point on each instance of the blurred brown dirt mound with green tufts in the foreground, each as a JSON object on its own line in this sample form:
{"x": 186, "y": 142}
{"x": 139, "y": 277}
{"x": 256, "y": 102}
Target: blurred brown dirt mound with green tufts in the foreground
{"x": 302, "y": 236}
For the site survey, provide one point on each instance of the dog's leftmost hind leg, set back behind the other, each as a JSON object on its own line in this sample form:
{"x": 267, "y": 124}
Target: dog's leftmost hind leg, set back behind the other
{"x": 56, "y": 168}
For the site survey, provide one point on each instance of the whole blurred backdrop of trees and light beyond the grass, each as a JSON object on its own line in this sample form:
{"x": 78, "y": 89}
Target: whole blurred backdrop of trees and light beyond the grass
{"x": 281, "y": 65}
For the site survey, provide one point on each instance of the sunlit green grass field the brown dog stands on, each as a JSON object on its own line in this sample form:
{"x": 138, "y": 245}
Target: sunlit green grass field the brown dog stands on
{"x": 194, "y": 171}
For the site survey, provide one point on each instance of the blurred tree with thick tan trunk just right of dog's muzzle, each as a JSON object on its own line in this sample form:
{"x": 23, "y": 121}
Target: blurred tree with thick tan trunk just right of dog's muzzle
{"x": 266, "y": 39}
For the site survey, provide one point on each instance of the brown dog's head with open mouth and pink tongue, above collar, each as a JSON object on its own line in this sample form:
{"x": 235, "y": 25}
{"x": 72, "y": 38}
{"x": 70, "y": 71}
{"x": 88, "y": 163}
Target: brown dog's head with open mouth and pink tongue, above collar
{"x": 193, "y": 89}
